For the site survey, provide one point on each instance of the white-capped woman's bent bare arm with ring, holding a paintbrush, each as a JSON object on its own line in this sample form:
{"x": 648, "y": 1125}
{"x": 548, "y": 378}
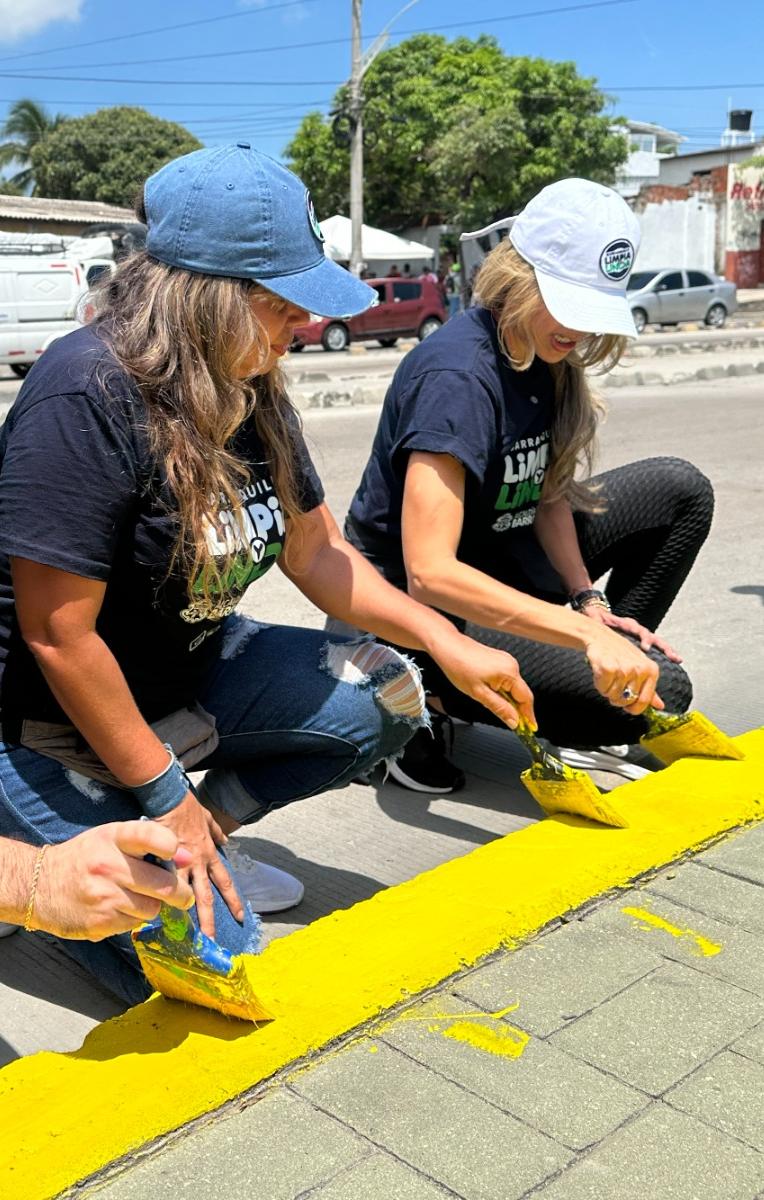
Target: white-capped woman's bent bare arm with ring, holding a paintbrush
{"x": 434, "y": 515}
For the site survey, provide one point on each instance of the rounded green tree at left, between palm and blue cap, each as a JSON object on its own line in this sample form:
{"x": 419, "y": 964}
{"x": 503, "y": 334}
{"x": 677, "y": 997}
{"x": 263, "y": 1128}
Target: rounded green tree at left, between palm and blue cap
{"x": 107, "y": 155}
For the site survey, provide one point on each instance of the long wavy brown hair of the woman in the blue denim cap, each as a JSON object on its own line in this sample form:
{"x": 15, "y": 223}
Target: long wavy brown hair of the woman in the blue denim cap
{"x": 183, "y": 337}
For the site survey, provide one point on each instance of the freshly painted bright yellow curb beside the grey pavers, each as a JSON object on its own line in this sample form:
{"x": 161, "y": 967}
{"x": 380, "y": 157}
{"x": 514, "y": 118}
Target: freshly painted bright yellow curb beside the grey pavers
{"x": 64, "y": 1117}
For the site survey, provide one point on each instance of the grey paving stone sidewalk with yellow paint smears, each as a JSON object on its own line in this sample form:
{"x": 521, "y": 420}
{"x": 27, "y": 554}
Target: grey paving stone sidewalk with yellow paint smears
{"x": 616, "y": 1058}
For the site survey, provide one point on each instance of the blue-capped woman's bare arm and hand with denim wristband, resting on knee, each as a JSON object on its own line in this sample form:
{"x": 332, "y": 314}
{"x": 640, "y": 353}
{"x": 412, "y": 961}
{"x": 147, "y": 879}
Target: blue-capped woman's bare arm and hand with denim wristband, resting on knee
{"x": 58, "y": 614}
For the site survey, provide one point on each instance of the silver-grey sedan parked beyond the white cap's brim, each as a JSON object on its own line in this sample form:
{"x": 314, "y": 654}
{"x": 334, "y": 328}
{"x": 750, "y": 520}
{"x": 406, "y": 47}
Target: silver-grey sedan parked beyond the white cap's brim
{"x": 665, "y": 298}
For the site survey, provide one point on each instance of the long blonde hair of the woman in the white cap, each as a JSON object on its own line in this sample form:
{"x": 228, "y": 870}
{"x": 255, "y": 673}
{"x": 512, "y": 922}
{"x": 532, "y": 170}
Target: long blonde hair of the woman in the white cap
{"x": 507, "y": 285}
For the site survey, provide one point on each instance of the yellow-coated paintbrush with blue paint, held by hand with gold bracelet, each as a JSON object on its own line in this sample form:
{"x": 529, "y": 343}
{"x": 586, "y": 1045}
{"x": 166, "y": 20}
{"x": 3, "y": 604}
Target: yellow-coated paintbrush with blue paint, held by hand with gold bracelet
{"x": 183, "y": 963}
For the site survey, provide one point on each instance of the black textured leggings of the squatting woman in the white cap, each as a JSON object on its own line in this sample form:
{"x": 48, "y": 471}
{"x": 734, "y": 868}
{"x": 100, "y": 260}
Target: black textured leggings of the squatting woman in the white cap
{"x": 659, "y": 514}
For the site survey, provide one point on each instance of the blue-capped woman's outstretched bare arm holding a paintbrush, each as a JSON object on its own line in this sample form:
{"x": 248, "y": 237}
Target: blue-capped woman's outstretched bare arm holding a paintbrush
{"x": 340, "y": 581}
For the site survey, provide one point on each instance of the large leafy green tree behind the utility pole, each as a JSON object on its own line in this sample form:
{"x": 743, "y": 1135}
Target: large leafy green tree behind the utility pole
{"x": 459, "y": 131}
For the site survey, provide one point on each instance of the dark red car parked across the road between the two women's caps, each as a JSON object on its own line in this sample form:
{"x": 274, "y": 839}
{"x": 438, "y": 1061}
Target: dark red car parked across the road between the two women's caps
{"x": 406, "y": 309}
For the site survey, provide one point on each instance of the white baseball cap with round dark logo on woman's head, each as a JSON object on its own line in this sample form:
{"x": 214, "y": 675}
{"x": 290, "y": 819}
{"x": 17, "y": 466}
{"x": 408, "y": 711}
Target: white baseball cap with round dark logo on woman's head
{"x": 582, "y": 239}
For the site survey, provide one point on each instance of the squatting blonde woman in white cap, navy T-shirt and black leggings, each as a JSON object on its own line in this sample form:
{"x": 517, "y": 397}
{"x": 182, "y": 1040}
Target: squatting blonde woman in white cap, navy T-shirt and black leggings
{"x": 471, "y": 501}
